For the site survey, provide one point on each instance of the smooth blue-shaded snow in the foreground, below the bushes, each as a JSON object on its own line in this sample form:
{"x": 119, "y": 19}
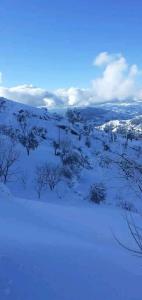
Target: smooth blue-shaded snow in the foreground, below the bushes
{"x": 53, "y": 251}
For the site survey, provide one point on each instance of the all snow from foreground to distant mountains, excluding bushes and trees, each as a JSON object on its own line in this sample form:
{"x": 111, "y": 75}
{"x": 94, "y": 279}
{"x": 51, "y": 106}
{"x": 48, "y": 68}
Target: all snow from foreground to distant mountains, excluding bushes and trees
{"x": 62, "y": 247}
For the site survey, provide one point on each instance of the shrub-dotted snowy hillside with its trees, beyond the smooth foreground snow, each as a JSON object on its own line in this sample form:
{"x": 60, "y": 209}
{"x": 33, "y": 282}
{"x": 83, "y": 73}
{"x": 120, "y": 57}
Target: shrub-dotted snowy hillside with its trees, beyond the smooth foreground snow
{"x": 83, "y": 153}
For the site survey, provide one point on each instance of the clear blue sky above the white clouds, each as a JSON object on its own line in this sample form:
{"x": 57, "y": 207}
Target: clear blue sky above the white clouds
{"x": 52, "y": 44}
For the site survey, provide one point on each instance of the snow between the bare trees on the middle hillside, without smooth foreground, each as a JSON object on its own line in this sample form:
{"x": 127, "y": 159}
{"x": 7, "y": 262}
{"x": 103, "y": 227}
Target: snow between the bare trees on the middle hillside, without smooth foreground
{"x": 95, "y": 145}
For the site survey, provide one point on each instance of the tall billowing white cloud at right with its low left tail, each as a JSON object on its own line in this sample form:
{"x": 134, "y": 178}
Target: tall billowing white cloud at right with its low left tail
{"x": 118, "y": 81}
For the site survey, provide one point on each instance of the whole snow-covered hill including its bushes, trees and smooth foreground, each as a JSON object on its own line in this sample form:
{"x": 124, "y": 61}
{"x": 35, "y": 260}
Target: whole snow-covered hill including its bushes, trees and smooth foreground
{"x": 56, "y": 242}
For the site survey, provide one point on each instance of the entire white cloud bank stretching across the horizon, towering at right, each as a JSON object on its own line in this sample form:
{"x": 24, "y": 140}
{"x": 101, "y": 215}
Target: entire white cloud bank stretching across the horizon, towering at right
{"x": 118, "y": 81}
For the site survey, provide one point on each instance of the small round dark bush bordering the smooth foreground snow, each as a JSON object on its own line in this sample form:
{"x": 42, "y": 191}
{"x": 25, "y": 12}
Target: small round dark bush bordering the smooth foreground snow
{"x": 97, "y": 193}
